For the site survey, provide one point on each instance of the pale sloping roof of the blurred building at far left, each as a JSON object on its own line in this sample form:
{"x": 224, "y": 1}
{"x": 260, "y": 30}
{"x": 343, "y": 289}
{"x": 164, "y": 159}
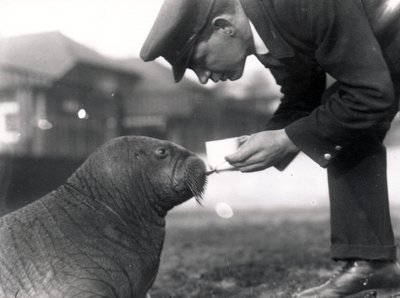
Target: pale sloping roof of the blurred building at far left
{"x": 51, "y": 54}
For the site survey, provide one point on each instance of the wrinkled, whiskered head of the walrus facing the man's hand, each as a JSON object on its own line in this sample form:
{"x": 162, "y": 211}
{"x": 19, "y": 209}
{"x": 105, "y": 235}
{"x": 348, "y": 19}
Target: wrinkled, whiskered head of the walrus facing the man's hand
{"x": 145, "y": 169}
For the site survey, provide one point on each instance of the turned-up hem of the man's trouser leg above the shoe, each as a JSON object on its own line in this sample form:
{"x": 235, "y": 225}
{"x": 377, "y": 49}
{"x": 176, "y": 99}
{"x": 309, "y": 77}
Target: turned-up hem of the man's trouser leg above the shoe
{"x": 363, "y": 252}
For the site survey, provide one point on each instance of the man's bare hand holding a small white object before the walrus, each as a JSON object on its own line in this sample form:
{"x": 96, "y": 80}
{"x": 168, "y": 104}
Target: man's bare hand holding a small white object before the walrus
{"x": 262, "y": 150}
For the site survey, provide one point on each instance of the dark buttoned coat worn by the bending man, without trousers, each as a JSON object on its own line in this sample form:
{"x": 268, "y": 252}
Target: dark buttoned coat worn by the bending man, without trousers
{"x": 357, "y": 42}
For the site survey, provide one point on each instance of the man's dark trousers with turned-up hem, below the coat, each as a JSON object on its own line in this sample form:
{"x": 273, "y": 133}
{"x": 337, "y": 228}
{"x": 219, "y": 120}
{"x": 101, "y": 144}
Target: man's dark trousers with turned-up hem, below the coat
{"x": 360, "y": 218}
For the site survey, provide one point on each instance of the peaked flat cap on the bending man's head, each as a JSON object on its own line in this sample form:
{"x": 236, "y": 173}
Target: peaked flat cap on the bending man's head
{"x": 175, "y": 31}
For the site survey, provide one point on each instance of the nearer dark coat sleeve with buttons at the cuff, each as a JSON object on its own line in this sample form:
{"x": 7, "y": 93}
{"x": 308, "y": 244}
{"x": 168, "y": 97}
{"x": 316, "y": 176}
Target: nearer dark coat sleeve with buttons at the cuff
{"x": 363, "y": 97}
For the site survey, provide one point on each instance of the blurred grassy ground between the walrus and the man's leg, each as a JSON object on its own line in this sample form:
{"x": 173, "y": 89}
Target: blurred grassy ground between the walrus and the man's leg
{"x": 274, "y": 253}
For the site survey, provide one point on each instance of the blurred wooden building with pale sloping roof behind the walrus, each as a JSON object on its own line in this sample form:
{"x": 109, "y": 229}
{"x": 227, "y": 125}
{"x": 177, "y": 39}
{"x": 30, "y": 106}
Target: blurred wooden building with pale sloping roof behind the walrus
{"x": 57, "y": 97}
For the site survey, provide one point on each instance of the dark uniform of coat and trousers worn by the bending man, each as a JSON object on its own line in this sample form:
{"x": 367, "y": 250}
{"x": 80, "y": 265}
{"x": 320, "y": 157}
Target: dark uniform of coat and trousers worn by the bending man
{"x": 342, "y": 128}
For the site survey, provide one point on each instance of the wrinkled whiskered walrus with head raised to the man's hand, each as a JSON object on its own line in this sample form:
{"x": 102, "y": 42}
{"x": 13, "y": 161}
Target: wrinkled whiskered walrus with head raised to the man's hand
{"x": 101, "y": 233}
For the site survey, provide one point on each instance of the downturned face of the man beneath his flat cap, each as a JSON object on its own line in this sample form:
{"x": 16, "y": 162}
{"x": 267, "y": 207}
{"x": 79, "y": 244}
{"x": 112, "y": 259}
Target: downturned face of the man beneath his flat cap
{"x": 220, "y": 57}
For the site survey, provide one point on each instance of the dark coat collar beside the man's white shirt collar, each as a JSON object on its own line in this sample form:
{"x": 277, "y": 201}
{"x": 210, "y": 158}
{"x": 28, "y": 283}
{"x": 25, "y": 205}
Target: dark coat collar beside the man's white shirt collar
{"x": 261, "y": 14}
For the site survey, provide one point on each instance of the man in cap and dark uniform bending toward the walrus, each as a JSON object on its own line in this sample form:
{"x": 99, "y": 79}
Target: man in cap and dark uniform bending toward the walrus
{"x": 341, "y": 128}
